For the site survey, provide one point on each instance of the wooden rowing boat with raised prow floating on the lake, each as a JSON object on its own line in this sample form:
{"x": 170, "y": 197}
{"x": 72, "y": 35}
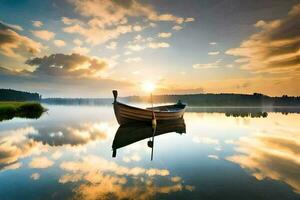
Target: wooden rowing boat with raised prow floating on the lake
{"x": 129, "y": 114}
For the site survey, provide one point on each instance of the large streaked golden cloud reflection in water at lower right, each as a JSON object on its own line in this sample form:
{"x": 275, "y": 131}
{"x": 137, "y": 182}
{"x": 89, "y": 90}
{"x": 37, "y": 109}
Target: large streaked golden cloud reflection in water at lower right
{"x": 275, "y": 156}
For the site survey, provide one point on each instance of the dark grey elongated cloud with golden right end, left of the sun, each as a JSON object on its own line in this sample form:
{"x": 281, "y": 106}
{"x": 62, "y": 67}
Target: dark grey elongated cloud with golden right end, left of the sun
{"x": 75, "y": 65}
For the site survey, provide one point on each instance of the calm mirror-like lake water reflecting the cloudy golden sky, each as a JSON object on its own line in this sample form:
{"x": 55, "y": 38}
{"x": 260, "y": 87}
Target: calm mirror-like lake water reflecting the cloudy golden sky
{"x": 67, "y": 154}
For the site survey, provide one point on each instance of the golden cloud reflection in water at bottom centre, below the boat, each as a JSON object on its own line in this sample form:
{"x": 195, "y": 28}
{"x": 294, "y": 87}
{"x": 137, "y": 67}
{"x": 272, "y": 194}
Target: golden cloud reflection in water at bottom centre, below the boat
{"x": 106, "y": 179}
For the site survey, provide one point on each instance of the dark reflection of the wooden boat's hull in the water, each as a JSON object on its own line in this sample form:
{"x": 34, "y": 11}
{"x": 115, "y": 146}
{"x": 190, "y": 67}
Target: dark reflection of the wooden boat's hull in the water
{"x": 130, "y": 133}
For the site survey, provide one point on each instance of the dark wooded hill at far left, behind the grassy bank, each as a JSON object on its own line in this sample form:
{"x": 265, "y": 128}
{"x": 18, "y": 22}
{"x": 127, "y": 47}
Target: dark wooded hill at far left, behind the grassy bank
{"x": 14, "y": 95}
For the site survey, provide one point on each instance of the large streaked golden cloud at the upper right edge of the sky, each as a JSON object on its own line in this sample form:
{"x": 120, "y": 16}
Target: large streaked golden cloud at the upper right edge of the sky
{"x": 275, "y": 48}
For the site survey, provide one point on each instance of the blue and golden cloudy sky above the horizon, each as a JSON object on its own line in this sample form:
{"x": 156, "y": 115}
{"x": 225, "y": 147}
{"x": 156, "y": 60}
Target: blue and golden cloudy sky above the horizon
{"x": 86, "y": 48}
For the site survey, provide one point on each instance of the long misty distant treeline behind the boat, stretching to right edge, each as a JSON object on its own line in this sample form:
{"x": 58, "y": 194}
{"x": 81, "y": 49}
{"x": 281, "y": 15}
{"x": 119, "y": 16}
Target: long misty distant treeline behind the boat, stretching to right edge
{"x": 217, "y": 100}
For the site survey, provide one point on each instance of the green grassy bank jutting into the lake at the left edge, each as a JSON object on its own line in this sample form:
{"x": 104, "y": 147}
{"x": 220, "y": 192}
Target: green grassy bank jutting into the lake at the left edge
{"x": 11, "y": 109}
